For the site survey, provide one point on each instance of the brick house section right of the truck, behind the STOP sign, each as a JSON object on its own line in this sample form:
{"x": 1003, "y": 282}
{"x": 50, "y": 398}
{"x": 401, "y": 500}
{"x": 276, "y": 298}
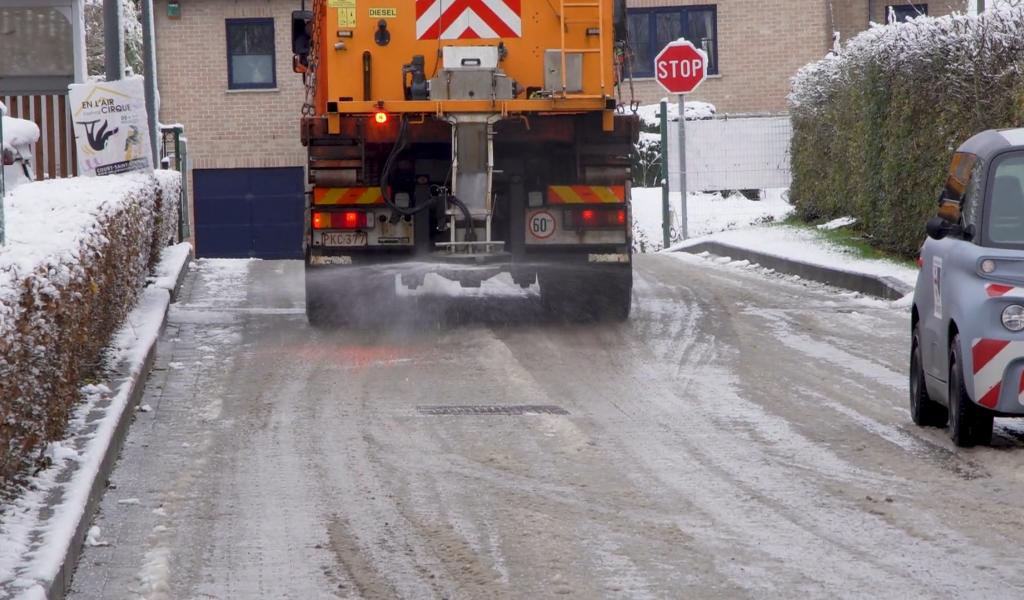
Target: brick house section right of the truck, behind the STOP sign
{"x": 755, "y": 48}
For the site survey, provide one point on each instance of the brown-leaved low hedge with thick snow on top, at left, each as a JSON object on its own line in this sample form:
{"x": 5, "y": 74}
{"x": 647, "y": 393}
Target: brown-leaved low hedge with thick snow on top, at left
{"x": 78, "y": 253}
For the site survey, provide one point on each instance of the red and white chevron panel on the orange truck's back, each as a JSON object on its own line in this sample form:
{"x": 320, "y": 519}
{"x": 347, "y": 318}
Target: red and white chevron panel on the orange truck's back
{"x": 468, "y": 20}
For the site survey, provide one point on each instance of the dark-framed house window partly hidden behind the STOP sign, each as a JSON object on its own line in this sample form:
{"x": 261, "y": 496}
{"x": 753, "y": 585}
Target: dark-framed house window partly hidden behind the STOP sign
{"x": 652, "y": 29}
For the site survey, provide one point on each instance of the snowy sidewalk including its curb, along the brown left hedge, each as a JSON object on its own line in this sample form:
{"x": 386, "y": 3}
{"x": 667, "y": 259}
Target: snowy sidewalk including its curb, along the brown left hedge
{"x": 44, "y": 529}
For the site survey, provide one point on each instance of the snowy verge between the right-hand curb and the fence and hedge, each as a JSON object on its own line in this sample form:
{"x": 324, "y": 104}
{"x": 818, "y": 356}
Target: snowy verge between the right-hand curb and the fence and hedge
{"x": 806, "y": 246}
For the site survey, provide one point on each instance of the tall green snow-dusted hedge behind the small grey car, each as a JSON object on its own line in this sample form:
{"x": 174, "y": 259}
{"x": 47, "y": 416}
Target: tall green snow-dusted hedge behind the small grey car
{"x": 875, "y": 128}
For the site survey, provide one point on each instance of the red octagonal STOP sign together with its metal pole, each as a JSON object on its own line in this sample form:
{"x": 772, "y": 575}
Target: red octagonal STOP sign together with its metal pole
{"x": 680, "y": 68}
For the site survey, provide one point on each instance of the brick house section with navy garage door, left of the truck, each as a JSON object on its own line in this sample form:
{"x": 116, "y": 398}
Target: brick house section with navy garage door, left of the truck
{"x": 225, "y": 70}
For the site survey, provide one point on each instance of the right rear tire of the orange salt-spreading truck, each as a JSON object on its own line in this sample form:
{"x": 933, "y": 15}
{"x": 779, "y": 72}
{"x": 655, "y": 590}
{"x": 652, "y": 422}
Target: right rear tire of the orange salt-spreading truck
{"x": 588, "y": 295}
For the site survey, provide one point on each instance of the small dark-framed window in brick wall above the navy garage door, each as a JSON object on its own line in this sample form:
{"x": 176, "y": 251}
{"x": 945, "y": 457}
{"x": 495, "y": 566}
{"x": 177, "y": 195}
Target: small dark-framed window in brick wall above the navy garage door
{"x": 250, "y": 54}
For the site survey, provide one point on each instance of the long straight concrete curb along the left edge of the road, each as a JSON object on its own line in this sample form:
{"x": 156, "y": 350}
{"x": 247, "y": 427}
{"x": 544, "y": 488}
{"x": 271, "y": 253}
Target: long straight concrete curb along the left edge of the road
{"x": 60, "y": 587}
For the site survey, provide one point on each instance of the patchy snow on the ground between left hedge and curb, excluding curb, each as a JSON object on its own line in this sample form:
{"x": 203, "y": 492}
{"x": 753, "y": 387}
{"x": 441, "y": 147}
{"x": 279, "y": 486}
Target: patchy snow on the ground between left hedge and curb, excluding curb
{"x": 34, "y": 540}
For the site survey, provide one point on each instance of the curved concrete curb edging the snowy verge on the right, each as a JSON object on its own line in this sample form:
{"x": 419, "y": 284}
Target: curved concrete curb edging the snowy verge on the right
{"x": 879, "y": 286}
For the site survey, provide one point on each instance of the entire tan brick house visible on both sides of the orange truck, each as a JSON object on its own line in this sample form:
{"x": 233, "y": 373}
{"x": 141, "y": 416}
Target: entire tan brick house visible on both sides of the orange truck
{"x": 225, "y": 70}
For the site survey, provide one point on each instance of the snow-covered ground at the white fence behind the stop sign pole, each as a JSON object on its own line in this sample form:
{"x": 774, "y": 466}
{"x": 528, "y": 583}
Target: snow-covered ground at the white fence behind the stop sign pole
{"x": 709, "y": 213}
